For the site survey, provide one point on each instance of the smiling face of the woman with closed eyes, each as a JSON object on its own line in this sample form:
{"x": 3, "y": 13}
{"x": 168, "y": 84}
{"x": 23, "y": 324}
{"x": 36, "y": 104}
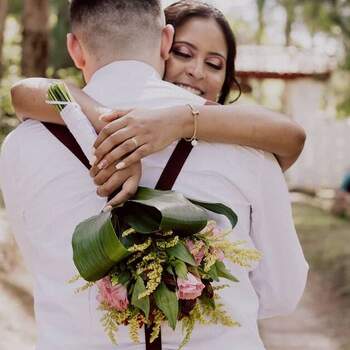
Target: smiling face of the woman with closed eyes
{"x": 198, "y": 58}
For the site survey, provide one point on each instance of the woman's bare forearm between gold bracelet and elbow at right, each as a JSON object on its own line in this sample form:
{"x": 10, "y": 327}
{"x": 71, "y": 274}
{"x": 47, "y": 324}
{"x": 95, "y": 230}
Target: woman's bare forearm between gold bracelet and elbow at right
{"x": 253, "y": 126}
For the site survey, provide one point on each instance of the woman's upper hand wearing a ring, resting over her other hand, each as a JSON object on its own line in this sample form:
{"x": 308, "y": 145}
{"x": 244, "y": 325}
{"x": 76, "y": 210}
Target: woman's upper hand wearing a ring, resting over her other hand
{"x": 130, "y": 136}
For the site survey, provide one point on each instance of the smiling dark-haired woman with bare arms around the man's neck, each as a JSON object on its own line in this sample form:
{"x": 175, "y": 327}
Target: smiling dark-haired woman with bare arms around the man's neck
{"x": 202, "y": 60}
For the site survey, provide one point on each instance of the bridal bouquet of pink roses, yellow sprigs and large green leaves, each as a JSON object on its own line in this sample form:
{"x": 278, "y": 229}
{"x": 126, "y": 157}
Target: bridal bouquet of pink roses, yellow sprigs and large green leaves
{"x": 156, "y": 259}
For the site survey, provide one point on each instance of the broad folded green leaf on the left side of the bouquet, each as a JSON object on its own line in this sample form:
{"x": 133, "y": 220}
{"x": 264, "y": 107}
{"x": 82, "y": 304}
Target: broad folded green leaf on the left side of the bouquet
{"x": 96, "y": 247}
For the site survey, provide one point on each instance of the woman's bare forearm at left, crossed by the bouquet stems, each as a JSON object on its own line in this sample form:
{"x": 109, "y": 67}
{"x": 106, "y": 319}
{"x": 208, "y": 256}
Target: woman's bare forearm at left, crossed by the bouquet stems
{"x": 29, "y": 96}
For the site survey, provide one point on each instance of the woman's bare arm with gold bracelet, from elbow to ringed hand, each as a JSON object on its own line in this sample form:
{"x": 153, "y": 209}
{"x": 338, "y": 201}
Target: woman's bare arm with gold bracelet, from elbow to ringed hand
{"x": 138, "y": 132}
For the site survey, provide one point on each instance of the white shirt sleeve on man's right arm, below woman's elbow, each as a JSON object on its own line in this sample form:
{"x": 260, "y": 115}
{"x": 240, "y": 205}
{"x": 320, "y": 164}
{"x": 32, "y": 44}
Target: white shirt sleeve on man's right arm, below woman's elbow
{"x": 280, "y": 278}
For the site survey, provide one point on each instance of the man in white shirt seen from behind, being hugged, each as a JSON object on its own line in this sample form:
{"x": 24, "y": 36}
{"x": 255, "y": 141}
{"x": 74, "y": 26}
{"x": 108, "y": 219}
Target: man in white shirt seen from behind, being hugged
{"x": 120, "y": 46}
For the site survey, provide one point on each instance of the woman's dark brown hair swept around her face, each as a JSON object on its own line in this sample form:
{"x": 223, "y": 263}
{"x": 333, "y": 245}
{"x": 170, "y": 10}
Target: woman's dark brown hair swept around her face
{"x": 180, "y": 12}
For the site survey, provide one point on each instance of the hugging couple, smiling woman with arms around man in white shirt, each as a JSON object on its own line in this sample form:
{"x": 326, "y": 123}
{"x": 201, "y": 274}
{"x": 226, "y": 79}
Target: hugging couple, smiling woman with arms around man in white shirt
{"x": 148, "y": 77}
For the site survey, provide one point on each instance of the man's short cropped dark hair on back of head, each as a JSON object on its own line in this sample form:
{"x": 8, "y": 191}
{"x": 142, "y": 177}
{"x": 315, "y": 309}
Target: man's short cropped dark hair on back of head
{"x": 110, "y": 25}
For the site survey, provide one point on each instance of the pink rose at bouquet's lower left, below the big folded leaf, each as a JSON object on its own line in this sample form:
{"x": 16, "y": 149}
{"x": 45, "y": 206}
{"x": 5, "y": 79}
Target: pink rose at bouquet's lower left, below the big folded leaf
{"x": 114, "y": 296}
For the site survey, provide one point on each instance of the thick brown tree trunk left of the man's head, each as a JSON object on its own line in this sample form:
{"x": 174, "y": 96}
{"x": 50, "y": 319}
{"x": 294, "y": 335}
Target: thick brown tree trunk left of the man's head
{"x": 35, "y": 41}
